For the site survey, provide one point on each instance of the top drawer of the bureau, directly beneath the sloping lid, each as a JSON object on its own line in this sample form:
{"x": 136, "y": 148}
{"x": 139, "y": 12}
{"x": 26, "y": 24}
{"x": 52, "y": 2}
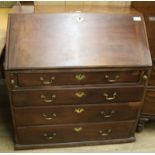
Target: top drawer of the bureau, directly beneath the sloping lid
{"x": 77, "y": 78}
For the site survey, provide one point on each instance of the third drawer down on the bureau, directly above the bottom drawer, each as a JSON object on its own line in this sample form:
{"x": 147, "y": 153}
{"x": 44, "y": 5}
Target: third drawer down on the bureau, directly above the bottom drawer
{"x": 76, "y": 114}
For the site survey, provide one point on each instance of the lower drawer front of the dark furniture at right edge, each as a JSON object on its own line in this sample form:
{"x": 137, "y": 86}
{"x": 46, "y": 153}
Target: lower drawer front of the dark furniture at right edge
{"x": 149, "y": 102}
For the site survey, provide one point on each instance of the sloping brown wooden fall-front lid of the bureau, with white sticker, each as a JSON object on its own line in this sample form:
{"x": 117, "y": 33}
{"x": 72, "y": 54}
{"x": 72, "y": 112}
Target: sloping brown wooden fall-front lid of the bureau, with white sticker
{"x": 64, "y": 40}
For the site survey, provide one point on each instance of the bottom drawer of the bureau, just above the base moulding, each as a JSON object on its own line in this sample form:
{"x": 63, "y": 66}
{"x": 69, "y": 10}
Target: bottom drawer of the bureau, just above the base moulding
{"x": 74, "y": 133}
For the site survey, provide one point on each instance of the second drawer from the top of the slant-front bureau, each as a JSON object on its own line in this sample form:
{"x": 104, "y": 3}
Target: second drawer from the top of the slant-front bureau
{"x": 78, "y": 95}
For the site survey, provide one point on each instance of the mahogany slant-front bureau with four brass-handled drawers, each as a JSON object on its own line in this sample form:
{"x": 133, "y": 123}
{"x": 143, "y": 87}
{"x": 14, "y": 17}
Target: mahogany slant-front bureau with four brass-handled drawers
{"x": 76, "y": 78}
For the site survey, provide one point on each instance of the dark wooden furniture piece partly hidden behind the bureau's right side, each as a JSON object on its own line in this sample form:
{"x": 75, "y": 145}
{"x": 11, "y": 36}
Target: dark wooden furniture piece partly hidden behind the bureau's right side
{"x": 148, "y": 11}
